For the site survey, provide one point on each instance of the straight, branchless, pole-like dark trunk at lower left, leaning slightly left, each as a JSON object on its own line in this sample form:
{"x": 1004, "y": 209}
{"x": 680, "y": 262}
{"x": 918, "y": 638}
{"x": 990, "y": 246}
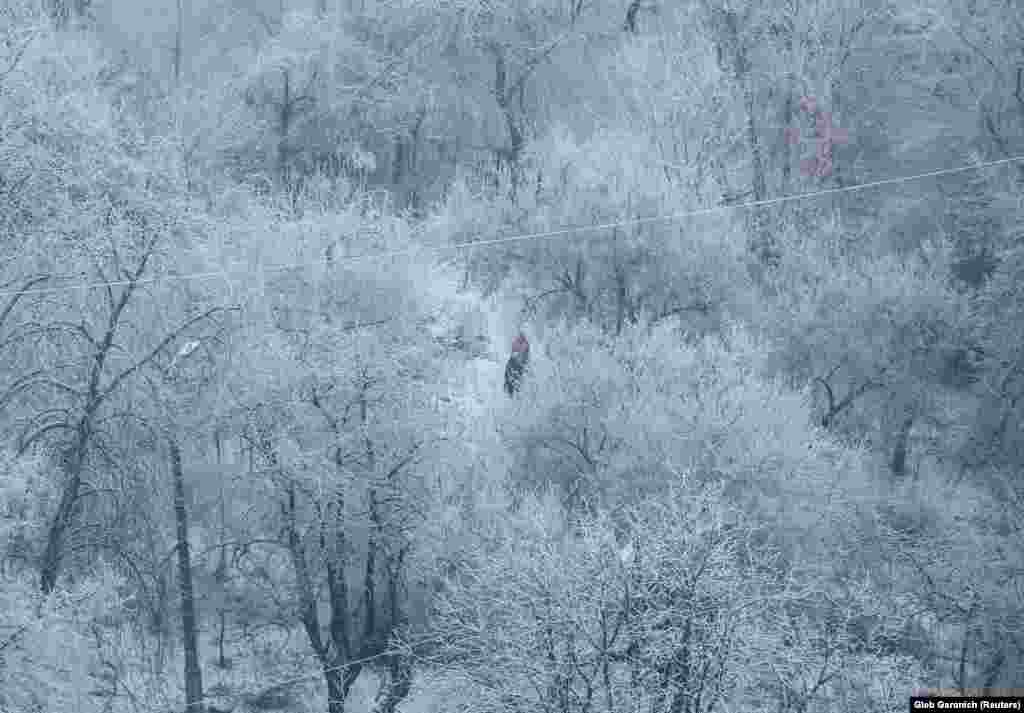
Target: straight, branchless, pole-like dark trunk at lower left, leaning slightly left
{"x": 194, "y": 674}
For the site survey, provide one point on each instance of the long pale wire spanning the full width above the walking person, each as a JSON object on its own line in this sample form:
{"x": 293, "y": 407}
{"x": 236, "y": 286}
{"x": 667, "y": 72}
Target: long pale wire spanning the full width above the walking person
{"x": 223, "y": 274}
